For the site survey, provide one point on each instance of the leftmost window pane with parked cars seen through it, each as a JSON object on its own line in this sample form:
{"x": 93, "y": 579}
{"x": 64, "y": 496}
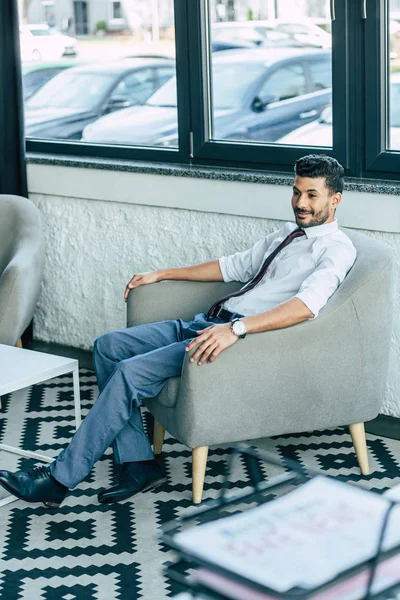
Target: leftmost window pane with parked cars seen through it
{"x": 101, "y": 97}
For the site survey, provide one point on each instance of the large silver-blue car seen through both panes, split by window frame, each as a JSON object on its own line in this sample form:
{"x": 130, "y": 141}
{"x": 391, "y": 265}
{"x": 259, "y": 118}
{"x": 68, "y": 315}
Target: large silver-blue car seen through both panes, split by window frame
{"x": 258, "y": 95}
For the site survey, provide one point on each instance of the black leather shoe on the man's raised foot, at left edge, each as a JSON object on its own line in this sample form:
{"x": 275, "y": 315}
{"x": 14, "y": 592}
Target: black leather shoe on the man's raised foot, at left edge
{"x": 37, "y": 485}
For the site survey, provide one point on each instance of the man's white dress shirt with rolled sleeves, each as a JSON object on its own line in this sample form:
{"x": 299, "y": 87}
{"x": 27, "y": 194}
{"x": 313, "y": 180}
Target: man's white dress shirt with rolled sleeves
{"x": 310, "y": 268}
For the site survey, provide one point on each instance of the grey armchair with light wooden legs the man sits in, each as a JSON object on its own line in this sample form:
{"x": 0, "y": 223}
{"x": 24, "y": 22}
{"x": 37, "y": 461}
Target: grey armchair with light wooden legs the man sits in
{"x": 326, "y": 372}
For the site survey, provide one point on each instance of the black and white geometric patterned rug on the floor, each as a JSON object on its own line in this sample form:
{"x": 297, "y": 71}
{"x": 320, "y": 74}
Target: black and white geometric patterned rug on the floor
{"x": 88, "y": 551}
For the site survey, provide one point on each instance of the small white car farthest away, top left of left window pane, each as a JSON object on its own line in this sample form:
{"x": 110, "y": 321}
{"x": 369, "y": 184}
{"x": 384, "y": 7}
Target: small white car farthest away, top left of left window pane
{"x": 40, "y": 42}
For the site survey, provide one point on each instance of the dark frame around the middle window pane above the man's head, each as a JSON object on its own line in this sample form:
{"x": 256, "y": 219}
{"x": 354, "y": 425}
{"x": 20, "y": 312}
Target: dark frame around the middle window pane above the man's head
{"x": 261, "y": 155}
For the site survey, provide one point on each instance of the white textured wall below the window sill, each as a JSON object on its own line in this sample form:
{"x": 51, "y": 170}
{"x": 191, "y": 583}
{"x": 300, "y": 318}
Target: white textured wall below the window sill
{"x": 101, "y": 227}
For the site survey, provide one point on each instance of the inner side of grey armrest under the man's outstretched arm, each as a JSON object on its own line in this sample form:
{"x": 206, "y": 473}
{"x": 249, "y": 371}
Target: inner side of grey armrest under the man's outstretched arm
{"x": 174, "y": 300}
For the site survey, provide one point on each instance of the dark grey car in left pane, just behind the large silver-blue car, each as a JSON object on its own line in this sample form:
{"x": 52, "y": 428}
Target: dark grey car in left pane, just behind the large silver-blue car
{"x": 80, "y": 95}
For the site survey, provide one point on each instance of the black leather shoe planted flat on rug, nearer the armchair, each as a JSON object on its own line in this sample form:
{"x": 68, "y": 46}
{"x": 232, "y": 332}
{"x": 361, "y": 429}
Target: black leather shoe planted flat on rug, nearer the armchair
{"x": 136, "y": 477}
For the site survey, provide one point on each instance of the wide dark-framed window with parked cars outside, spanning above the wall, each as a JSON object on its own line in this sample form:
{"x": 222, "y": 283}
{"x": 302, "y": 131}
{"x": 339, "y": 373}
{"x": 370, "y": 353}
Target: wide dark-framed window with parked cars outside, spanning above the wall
{"x": 254, "y": 85}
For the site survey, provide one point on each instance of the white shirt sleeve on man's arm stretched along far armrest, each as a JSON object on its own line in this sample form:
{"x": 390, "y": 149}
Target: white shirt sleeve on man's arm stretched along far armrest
{"x": 243, "y": 266}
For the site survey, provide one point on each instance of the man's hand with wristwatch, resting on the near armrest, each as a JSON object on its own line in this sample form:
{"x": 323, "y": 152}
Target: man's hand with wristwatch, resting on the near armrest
{"x": 211, "y": 342}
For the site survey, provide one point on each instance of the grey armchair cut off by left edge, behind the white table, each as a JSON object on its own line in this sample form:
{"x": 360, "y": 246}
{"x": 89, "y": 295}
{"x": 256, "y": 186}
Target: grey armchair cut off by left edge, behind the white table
{"x": 21, "y": 265}
